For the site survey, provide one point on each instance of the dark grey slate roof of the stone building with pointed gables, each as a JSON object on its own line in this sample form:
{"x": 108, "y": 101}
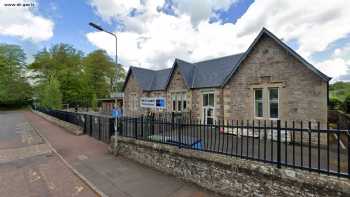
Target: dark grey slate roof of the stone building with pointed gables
{"x": 206, "y": 74}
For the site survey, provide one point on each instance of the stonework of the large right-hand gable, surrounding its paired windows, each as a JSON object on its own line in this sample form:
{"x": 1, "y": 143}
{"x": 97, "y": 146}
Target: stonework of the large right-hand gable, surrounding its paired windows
{"x": 303, "y": 95}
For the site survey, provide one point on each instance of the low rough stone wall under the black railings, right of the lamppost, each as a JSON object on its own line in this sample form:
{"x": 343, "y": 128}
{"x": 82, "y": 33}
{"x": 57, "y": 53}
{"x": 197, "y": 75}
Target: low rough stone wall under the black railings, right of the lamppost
{"x": 229, "y": 175}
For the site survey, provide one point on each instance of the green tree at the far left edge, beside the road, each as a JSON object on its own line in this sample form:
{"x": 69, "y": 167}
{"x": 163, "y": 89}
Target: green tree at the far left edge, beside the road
{"x": 14, "y": 87}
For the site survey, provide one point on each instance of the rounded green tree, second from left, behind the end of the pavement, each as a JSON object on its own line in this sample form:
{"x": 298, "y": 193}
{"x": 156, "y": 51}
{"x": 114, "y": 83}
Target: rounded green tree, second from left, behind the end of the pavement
{"x": 62, "y": 62}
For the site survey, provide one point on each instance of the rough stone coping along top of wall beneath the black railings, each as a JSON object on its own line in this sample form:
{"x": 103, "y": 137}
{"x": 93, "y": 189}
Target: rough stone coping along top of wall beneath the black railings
{"x": 251, "y": 167}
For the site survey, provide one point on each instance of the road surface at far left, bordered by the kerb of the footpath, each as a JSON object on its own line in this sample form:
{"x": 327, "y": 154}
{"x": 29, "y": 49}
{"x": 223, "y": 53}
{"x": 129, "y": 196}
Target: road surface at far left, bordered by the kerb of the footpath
{"x": 28, "y": 165}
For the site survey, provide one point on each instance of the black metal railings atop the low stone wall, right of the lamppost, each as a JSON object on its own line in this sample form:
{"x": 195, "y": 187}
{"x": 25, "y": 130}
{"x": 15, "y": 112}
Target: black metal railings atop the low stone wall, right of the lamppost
{"x": 292, "y": 144}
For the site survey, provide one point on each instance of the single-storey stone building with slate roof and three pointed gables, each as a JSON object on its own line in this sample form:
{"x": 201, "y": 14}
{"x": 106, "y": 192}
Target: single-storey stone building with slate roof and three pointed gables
{"x": 269, "y": 81}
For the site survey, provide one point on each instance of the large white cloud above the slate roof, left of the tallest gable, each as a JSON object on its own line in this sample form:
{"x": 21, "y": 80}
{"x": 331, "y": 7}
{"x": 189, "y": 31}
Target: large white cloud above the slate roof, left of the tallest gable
{"x": 154, "y": 39}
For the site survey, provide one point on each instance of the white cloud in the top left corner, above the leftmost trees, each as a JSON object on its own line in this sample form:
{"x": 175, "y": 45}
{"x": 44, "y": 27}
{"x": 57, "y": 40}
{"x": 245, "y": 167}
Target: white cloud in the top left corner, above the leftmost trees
{"x": 20, "y": 21}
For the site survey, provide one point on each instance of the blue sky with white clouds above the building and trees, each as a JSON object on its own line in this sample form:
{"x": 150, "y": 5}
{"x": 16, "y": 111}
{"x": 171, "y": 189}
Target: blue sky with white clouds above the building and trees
{"x": 152, "y": 33}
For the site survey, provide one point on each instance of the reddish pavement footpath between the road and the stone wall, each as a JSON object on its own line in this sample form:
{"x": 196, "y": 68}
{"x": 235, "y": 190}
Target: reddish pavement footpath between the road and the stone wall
{"x": 113, "y": 176}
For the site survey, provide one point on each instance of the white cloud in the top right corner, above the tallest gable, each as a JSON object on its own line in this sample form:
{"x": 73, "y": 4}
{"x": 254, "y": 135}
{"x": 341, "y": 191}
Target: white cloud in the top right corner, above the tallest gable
{"x": 313, "y": 23}
